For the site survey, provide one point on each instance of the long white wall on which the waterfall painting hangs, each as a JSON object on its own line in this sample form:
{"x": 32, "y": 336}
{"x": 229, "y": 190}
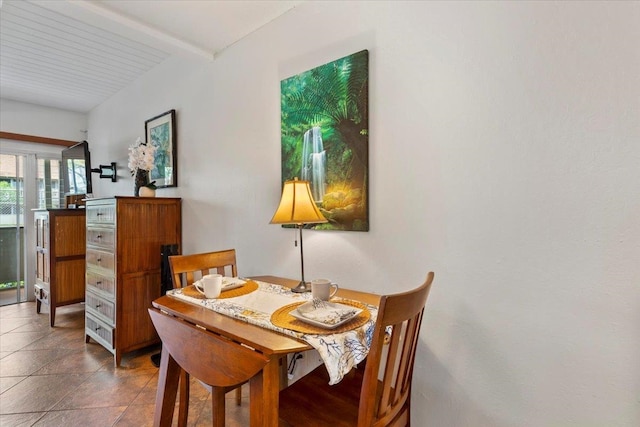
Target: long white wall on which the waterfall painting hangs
{"x": 504, "y": 155}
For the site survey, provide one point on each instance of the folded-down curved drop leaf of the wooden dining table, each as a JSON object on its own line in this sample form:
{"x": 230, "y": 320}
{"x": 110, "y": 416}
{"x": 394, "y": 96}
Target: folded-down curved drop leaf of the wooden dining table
{"x": 199, "y": 352}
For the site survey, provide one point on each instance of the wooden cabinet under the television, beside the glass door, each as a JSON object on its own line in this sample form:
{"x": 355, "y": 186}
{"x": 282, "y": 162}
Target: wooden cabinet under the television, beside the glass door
{"x": 60, "y": 248}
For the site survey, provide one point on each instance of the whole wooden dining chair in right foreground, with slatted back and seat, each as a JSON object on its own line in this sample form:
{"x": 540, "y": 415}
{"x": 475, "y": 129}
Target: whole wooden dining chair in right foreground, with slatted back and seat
{"x": 378, "y": 394}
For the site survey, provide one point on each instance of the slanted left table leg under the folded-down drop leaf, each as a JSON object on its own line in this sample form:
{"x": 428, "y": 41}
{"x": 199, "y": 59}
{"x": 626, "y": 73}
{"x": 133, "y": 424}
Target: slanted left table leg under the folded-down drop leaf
{"x": 168, "y": 380}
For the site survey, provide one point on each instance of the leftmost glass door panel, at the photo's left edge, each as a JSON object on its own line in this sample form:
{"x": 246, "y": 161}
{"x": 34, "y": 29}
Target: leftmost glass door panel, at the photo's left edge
{"x": 12, "y": 232}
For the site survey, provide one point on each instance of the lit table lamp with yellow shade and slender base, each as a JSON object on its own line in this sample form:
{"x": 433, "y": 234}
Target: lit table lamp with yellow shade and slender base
{"x": 297, "y": 207}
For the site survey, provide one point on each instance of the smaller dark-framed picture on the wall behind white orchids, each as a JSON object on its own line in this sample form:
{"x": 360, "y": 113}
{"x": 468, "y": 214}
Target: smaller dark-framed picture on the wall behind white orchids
{"x": 161, "y": 133}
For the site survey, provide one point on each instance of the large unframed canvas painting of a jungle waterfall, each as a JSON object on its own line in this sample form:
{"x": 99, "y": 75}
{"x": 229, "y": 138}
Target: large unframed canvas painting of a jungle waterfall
{"x": 325, "y": 138}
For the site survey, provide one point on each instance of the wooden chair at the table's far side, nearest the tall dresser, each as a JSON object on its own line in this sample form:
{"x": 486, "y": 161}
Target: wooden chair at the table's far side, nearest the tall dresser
{"x": 186, "y": 269}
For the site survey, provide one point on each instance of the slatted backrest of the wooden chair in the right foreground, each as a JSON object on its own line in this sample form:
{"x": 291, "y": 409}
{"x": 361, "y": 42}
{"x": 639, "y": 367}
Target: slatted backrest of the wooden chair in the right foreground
{"x": 386, "y": 386}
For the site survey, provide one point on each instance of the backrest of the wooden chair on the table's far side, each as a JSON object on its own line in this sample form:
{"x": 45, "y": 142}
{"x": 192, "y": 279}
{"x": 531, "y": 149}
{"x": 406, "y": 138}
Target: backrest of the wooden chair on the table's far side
{"x": 186, "y": 269}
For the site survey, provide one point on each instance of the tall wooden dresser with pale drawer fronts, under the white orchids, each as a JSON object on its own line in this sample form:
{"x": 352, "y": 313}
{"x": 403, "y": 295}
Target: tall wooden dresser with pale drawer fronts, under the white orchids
{"x": 124, "y": 235}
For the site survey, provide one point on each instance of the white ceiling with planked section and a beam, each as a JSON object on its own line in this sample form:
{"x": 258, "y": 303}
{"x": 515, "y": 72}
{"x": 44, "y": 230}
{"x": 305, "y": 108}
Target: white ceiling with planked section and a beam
{"x": 75, "y": 54}
